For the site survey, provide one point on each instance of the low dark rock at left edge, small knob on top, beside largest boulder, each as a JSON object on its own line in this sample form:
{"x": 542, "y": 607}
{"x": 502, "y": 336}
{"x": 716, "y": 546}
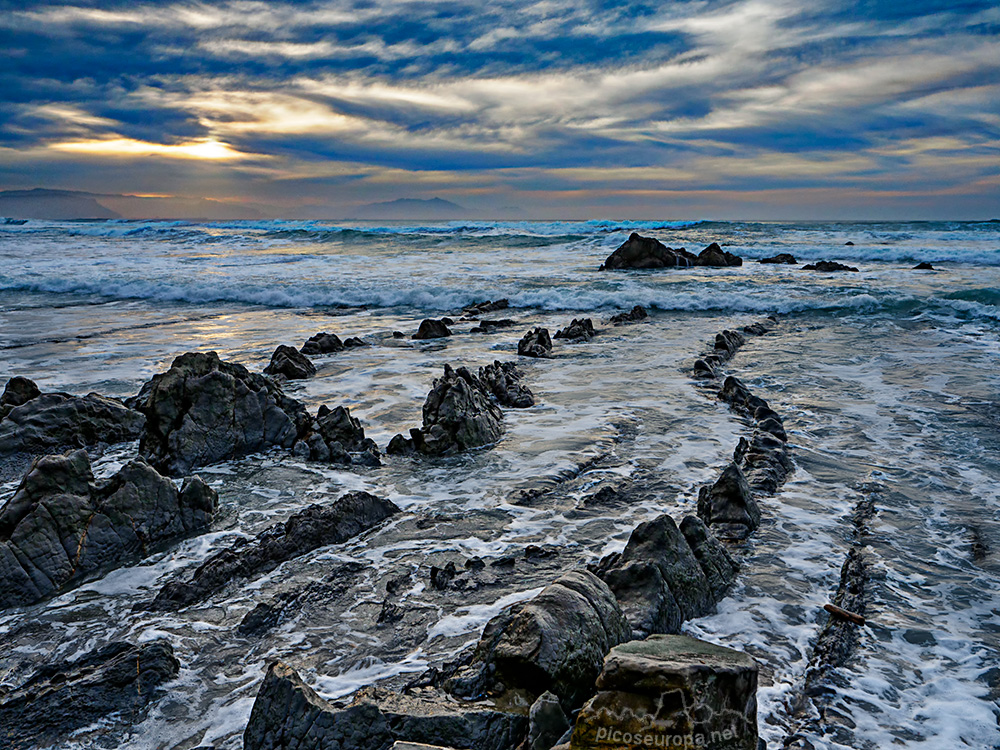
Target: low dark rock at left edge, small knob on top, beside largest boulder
{"x": 49, "y": 422}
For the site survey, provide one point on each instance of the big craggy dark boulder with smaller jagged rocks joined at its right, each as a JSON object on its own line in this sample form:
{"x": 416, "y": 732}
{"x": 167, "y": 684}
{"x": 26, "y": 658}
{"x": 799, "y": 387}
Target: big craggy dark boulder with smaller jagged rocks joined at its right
{"x": 204, "y": 410}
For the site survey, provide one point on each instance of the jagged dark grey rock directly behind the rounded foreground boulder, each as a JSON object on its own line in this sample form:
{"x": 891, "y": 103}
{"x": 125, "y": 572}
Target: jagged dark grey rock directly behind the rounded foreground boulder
{"x": 657, "y": 579}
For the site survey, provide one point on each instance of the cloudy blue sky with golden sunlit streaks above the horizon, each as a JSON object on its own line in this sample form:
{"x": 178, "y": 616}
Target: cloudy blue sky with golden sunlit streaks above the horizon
{"x": 878, "y": 109}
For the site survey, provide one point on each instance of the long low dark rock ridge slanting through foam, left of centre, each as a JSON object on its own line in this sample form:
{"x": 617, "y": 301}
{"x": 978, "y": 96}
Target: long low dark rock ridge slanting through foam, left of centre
{"x": 309, "y": 529}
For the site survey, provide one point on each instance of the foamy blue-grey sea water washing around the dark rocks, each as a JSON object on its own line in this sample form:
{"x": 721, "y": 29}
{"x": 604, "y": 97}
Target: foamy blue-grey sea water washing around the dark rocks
{"x": 888, "y": 381}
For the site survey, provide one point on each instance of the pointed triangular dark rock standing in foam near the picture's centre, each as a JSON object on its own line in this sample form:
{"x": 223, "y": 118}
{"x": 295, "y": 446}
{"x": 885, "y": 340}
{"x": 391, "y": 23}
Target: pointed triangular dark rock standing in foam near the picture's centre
{"x": 458, "y": 414}
